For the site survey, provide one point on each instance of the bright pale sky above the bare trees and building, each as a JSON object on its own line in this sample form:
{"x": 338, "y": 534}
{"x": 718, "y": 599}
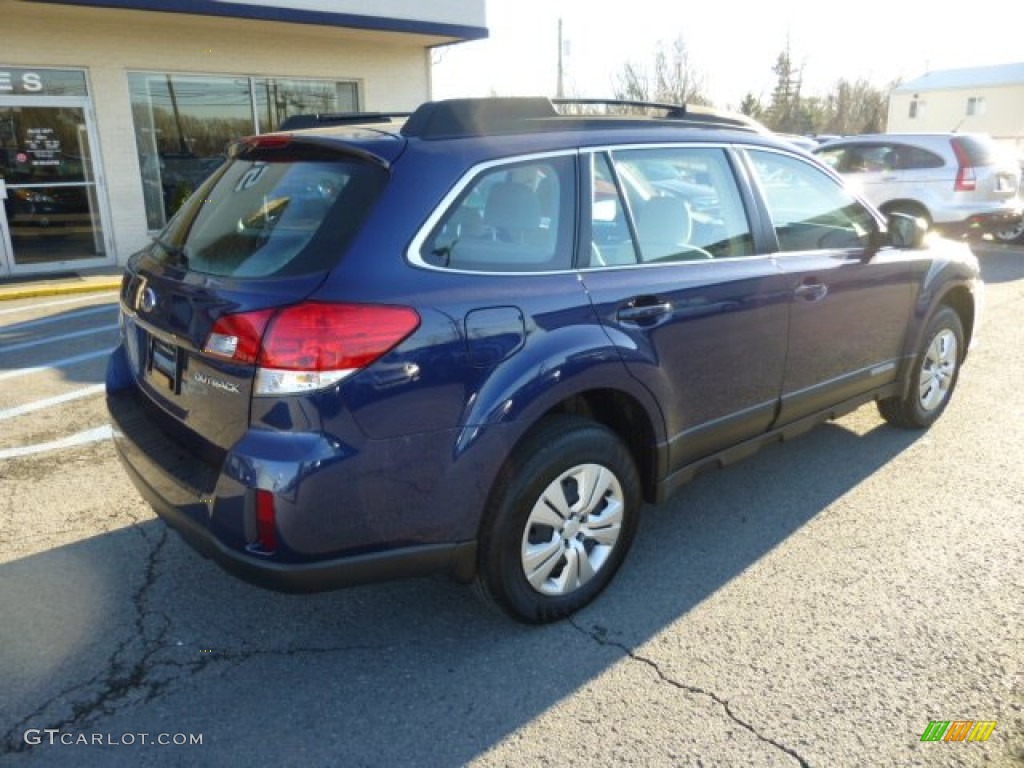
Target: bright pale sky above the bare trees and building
{"x": 732, "y": 46}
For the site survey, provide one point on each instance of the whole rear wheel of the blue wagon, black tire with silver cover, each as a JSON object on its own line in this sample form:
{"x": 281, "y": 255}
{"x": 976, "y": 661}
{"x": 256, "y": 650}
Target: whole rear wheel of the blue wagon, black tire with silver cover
{"x": 578, "y": 557}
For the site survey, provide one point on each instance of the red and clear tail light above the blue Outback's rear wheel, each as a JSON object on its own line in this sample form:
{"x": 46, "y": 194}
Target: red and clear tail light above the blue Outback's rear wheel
{"x": 310, "y": 346}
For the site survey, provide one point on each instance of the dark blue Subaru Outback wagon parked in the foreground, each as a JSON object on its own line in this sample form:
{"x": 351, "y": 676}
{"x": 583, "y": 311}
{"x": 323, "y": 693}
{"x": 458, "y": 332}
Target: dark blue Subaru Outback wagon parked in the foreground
{"x": 477, "y": 340}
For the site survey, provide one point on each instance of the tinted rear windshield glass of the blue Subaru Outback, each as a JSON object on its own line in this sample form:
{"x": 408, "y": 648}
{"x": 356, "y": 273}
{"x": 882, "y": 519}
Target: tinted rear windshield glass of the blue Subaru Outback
{"x": 274, "y": 214}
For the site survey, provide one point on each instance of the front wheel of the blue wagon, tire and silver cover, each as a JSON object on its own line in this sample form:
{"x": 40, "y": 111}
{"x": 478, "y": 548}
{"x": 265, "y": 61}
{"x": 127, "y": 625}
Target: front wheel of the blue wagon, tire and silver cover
{"x": 933, "y": 376}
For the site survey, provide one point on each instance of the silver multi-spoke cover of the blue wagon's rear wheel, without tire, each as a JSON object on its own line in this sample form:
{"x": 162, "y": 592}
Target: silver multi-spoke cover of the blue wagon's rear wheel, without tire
{"x": 573, "y": 530}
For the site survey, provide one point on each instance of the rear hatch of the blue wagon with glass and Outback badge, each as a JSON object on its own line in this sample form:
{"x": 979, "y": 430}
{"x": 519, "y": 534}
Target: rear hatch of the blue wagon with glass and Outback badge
{"x": 260, "y": 236}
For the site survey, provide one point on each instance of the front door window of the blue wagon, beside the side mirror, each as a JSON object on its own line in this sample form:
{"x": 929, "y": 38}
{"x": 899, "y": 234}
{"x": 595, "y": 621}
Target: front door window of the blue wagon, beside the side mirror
{"x": 810, "y": 210}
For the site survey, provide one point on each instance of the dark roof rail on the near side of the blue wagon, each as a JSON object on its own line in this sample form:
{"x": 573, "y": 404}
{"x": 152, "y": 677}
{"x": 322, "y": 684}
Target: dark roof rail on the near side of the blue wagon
{"x": 496, "y": 116}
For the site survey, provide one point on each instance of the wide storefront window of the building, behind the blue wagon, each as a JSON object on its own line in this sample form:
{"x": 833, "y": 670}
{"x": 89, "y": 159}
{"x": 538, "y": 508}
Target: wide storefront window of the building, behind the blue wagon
{"x": 185, "y": 124}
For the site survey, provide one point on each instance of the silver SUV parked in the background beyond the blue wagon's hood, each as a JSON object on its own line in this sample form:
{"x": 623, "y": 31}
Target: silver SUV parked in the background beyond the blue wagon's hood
{"x": 961, "y": 184}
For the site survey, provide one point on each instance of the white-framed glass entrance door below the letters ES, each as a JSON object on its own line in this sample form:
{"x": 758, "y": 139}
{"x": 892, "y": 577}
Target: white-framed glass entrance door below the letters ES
{"x": 53, "y": 207}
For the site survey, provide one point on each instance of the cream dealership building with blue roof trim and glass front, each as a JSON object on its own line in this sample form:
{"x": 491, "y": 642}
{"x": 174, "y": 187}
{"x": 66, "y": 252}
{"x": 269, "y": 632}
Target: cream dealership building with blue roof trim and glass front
{"x": 112, "y": 113}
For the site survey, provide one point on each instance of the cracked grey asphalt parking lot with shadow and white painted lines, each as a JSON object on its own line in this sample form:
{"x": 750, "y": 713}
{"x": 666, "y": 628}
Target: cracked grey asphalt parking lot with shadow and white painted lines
{"x": 818, "y": 606}
